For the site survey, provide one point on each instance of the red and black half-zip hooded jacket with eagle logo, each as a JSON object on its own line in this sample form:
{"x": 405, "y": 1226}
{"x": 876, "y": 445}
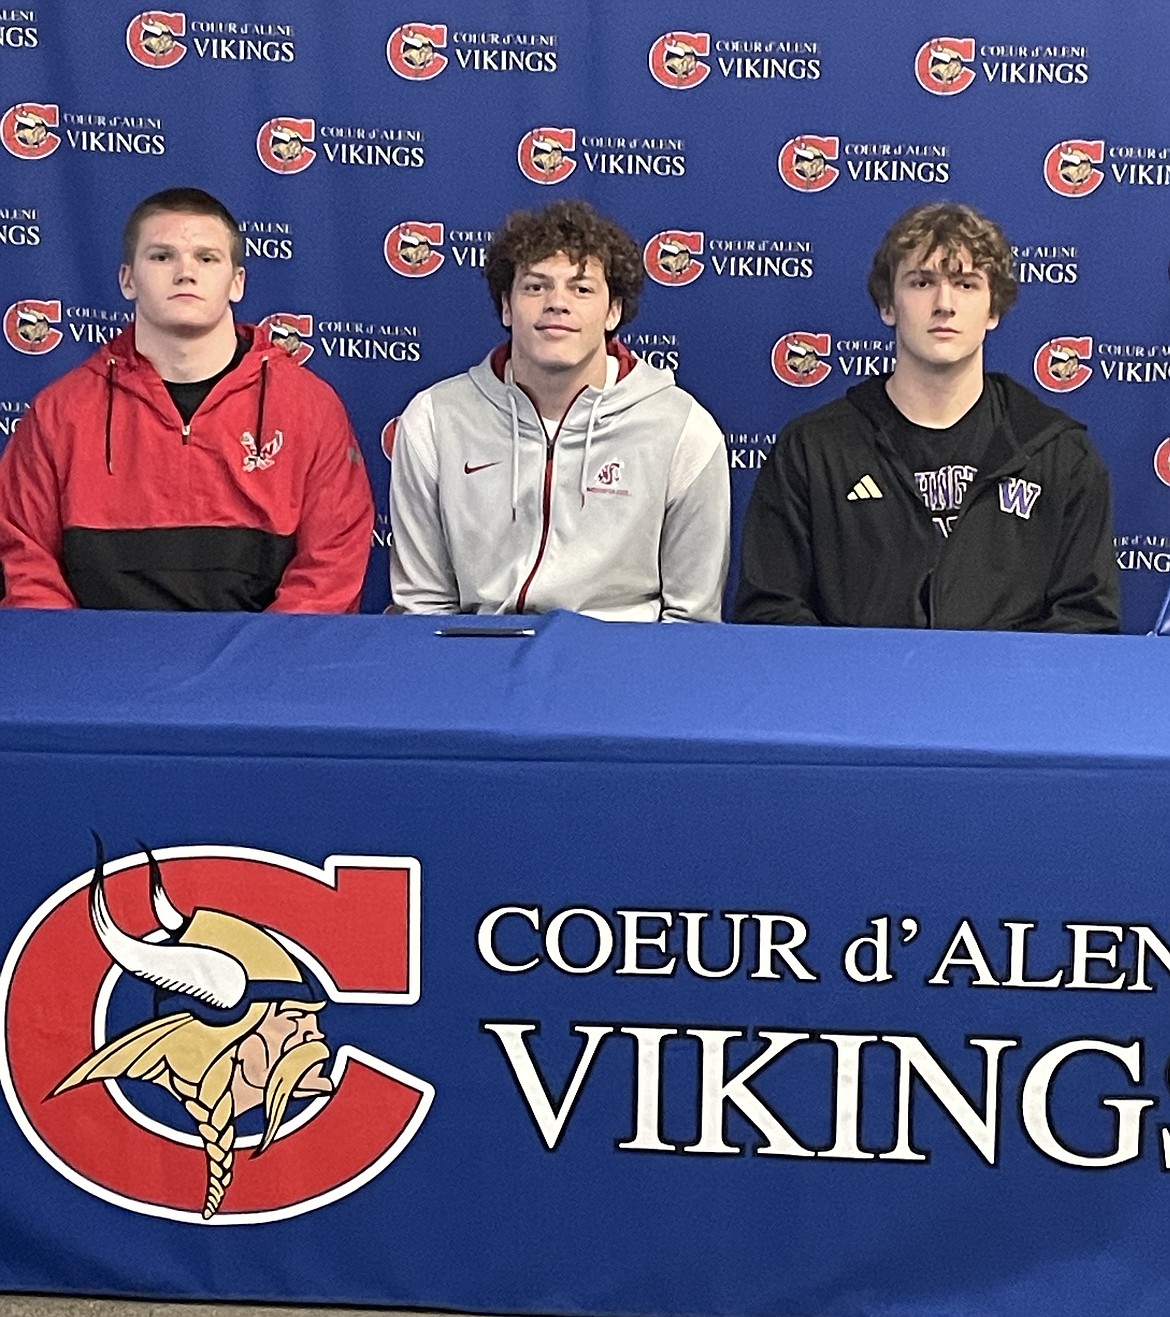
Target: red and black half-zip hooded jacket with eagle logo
{"x": 110, "y": 501}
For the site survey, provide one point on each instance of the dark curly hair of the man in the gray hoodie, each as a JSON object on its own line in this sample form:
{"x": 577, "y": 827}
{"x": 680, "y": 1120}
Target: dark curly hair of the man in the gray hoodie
{"x": 580, "y": 232}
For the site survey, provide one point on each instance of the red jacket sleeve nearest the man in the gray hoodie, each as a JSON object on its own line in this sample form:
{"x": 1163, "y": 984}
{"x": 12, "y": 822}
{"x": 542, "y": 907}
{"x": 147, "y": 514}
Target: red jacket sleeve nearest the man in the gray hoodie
{"x": 337, "y": 525}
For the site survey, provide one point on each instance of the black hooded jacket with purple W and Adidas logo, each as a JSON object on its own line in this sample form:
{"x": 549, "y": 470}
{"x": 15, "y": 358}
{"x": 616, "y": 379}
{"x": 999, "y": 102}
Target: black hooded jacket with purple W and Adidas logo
{"x": 1031, "y": 549}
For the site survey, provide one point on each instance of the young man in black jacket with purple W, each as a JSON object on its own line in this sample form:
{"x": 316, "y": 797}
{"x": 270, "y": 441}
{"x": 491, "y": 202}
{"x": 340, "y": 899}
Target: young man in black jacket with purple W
{"x": 937, "y": 496}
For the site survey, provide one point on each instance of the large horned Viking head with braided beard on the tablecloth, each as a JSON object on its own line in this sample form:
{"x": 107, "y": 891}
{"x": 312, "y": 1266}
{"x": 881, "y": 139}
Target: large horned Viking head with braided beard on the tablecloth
{"x": 235, "y": 1023}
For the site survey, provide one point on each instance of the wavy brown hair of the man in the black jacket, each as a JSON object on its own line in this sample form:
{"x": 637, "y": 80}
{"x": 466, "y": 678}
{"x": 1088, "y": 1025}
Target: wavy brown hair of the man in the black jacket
{"x": 953, "y": 230}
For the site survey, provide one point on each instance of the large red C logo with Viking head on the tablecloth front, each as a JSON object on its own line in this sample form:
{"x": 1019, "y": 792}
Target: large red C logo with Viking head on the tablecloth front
{"x": 171, "y": 1024}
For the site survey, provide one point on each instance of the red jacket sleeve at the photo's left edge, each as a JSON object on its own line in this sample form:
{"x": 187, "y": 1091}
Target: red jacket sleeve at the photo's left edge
{"x": 31, "y": 522}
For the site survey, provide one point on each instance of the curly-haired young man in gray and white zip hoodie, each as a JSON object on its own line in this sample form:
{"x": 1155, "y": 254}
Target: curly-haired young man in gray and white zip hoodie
{"x": 562, "y": 472}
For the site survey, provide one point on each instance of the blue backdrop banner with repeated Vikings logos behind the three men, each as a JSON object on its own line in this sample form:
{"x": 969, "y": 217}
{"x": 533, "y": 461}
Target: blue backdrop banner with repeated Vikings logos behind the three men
{"x": 757, "y": 152}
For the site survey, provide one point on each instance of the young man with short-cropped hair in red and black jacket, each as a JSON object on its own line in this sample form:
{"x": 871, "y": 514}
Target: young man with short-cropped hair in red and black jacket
{"x": 189, "y": 464}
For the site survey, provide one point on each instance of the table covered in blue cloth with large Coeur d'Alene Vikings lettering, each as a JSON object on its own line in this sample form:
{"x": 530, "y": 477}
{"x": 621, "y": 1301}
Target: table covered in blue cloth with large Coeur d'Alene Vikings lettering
{"x": 669, "y": 970}
